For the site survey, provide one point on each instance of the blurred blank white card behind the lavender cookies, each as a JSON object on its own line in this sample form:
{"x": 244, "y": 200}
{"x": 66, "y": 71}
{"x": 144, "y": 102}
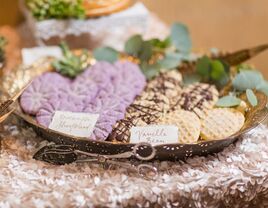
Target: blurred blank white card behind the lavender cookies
{"x": 30, "y": 55}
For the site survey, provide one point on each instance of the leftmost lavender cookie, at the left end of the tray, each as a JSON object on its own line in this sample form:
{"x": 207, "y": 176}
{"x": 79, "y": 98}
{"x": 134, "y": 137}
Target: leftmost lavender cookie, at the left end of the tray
{"x": 41, "y": 90}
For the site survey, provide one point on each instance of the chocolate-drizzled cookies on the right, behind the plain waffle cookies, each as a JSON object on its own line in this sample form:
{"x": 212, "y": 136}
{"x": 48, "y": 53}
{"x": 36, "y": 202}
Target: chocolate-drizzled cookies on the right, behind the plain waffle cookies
{"x": 198, "y": 98}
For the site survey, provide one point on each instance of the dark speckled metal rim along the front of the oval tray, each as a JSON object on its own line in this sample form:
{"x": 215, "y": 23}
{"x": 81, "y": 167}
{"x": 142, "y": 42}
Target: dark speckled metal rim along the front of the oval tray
{"x": 176, "y": 151}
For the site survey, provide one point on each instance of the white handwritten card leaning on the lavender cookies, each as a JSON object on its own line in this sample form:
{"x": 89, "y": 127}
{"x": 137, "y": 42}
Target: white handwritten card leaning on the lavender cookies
{"x": 75, "y": 124}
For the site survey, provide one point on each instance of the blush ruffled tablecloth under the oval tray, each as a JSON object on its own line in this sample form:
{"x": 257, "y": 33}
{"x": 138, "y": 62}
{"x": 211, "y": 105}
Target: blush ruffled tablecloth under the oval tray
{"x": 236, "y": 177}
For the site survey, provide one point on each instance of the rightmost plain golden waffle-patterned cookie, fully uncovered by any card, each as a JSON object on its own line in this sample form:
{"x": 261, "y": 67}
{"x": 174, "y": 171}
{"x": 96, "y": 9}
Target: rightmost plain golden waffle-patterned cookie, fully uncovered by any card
{"x": 220, "y": 123}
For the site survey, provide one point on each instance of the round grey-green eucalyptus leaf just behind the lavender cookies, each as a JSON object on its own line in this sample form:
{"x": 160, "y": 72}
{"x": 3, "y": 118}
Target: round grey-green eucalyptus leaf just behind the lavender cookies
{"x": 106, "y": 54}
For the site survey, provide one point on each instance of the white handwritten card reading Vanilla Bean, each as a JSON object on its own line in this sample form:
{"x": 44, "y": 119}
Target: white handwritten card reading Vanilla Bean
{"x": 154, "y": 134}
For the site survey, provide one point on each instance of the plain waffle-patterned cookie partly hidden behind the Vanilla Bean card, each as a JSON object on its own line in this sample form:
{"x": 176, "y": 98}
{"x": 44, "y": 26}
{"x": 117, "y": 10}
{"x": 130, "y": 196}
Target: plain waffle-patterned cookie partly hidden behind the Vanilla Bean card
{"x": 187, "y": 122}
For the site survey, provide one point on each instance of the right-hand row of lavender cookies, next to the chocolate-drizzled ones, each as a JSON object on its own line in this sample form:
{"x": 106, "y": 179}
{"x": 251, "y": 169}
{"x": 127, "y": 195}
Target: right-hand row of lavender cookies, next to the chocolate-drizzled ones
{"x": 112, "y": 101}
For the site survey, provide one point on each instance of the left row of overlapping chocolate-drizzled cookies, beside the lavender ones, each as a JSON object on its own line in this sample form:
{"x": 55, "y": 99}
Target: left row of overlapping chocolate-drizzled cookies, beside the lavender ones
{"x": 160, "y": 94}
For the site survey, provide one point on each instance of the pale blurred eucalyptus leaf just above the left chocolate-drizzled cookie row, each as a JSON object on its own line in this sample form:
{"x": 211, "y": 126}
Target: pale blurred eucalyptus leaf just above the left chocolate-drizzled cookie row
{"x": 170, "y": 61}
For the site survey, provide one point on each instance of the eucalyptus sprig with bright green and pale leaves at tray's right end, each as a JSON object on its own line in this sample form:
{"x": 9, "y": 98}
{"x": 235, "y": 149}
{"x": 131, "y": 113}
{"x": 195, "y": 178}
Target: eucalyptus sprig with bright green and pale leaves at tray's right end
{"x": 215, "y": 71}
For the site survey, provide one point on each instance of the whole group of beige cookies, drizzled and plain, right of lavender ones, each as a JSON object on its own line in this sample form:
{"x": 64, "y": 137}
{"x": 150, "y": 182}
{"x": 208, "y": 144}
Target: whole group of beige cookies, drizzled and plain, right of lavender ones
{"x": 190, "y": 108}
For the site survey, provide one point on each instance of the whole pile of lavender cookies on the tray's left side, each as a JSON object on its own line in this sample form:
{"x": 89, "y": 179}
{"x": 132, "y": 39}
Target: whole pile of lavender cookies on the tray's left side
{"x": 106, "y": 89}
